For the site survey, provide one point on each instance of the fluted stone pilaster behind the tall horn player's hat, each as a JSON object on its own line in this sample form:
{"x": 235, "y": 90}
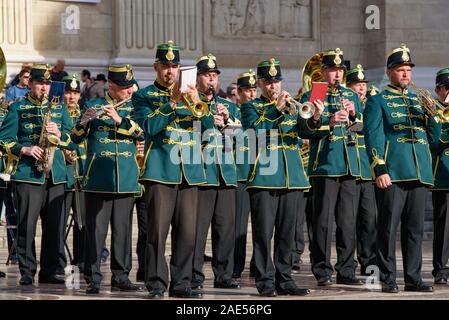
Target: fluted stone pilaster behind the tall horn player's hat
{"x": 140, "y": 25}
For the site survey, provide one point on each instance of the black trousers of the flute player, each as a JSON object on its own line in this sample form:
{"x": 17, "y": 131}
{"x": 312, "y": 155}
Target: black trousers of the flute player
{"x": 102, "y": 209}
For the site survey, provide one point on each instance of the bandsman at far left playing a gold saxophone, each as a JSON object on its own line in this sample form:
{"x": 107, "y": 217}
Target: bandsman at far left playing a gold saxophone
{"x": 39, "y": 193}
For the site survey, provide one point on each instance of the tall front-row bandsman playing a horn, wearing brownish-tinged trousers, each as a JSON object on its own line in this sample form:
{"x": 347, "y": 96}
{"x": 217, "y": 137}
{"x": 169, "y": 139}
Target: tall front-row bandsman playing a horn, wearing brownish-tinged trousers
{"x": 171, "y": 173}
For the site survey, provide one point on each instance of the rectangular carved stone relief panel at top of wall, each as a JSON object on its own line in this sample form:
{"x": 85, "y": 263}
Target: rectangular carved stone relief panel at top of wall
{"x": 262, "y": 18}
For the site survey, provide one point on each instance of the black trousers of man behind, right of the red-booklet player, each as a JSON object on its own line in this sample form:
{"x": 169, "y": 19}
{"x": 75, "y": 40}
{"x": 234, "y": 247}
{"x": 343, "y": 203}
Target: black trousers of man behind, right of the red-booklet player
{"x": 366, "y": 224}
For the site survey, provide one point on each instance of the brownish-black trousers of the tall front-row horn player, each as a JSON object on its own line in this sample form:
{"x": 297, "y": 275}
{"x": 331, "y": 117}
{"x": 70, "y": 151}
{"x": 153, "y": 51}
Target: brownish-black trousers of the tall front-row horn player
{"x": 174, "y": 205}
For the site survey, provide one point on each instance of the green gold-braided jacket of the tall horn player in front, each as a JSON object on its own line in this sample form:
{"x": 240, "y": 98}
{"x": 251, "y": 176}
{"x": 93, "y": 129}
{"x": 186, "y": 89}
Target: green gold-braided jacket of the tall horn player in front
{"x": 172, "y": 139}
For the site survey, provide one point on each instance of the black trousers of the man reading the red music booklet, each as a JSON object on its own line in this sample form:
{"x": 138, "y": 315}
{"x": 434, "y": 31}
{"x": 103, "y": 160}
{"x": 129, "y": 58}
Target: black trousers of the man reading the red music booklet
{"x": 334, "y": 197}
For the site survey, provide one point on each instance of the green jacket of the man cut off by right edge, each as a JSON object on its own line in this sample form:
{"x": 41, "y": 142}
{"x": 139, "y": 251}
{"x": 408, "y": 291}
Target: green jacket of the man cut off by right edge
{"x": 440, "y": 157}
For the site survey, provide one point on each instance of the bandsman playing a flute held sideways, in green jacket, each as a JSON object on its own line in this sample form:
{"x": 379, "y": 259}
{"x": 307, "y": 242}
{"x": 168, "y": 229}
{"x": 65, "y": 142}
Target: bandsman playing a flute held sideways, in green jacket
{"x": 110, "y": 180}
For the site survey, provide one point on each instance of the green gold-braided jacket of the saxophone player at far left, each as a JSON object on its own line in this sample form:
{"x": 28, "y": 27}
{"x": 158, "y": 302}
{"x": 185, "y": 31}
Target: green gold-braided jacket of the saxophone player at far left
{"x": 22, "y": 128}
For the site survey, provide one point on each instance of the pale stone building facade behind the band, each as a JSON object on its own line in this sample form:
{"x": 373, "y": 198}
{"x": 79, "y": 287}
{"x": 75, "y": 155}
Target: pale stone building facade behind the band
{"x": 239, "y": 32}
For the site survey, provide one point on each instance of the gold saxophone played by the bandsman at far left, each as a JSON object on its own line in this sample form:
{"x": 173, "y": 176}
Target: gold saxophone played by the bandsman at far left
{"x": 48, "y": 143}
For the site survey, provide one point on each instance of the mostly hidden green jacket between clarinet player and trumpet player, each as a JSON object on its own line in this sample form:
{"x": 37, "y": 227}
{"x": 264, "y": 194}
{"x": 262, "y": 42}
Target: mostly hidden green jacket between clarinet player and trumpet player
{"x": 242, "y": 151}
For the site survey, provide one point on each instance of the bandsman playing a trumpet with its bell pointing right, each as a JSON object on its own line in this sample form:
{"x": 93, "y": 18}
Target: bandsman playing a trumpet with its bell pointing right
{"x": 276, "y": 180}
